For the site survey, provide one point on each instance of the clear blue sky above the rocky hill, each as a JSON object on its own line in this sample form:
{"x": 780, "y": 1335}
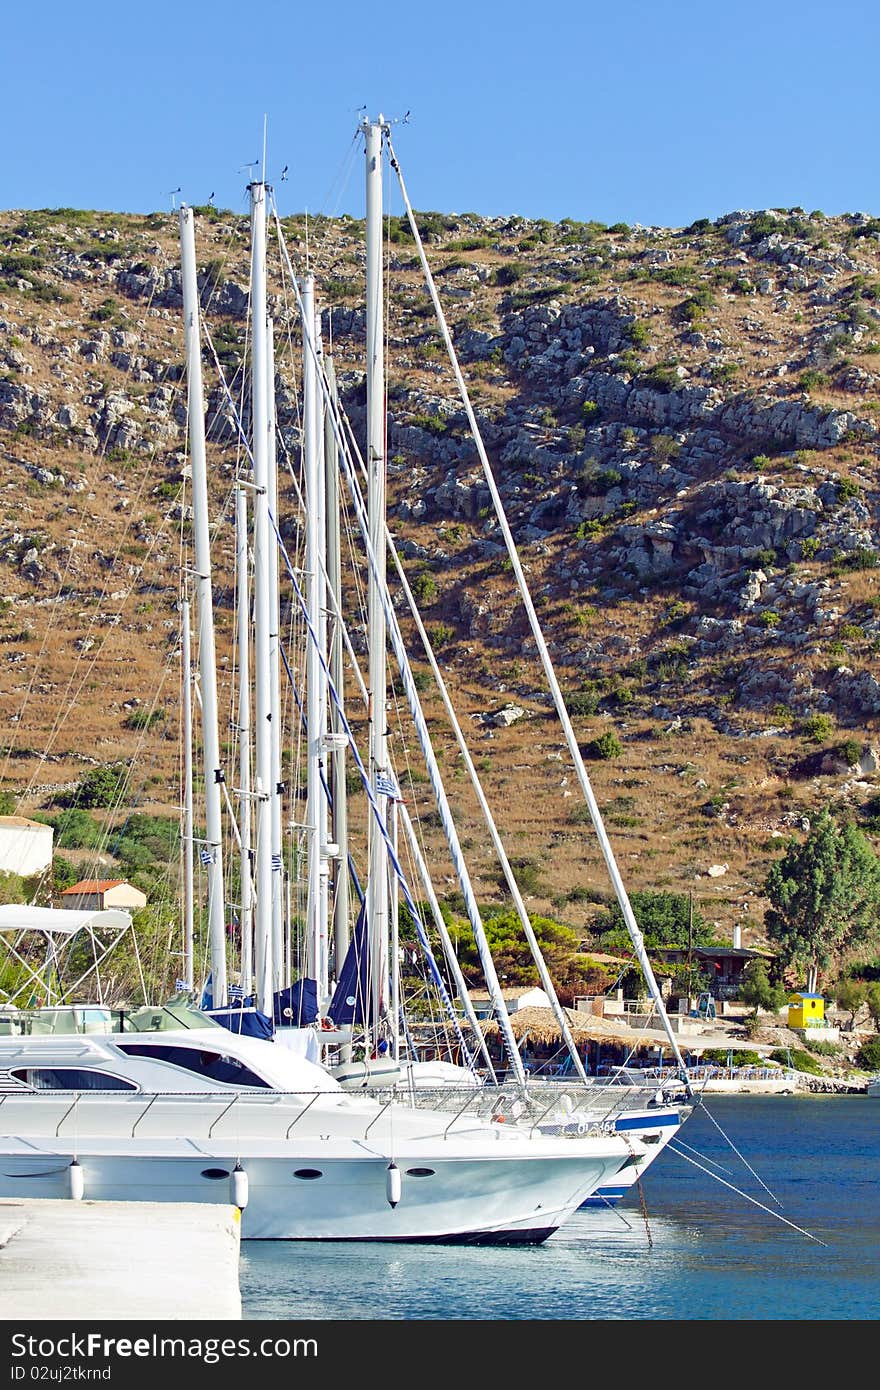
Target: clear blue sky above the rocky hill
{"x": 632, "y": 112}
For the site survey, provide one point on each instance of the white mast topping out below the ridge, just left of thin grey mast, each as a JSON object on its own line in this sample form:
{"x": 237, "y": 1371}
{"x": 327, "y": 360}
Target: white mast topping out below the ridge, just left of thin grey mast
{"x": 316, "y": 682}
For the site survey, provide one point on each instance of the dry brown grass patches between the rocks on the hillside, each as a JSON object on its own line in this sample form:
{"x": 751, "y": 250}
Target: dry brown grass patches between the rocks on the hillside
{"x": 72, "y": 704}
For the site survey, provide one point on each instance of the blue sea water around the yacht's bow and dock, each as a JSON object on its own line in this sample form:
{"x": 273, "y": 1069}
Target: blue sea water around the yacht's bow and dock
{"x": 797, "y": 1241}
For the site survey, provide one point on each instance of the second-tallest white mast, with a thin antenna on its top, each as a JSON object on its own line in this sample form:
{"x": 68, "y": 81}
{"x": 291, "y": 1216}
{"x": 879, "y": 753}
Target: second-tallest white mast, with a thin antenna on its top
{"x": 263, "y": 754}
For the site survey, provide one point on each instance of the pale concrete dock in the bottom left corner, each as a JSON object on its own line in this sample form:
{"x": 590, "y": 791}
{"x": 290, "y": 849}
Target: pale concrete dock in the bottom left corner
{"x": 154, "y": 1261}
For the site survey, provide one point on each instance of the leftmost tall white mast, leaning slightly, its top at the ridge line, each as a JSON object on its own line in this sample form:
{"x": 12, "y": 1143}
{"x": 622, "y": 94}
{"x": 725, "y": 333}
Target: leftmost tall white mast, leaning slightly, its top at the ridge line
{"x": 208, "y": 669}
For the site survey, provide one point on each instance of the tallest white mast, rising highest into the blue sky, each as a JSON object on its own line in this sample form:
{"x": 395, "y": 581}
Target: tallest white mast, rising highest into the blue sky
{"x": 377, "y": 885}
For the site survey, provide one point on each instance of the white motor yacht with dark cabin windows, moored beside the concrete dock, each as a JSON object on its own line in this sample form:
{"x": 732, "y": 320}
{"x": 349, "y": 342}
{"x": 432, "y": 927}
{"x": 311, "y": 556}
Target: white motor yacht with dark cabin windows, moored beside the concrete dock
{"x": 165, "y": 1106}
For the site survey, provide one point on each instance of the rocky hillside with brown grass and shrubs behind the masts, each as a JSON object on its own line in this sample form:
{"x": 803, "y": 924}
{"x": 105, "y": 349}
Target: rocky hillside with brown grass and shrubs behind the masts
{"x": 683, "y": 425}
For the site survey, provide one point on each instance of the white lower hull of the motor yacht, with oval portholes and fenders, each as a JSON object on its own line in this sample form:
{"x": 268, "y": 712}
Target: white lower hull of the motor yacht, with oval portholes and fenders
{"x": 313, "y": 1193}
